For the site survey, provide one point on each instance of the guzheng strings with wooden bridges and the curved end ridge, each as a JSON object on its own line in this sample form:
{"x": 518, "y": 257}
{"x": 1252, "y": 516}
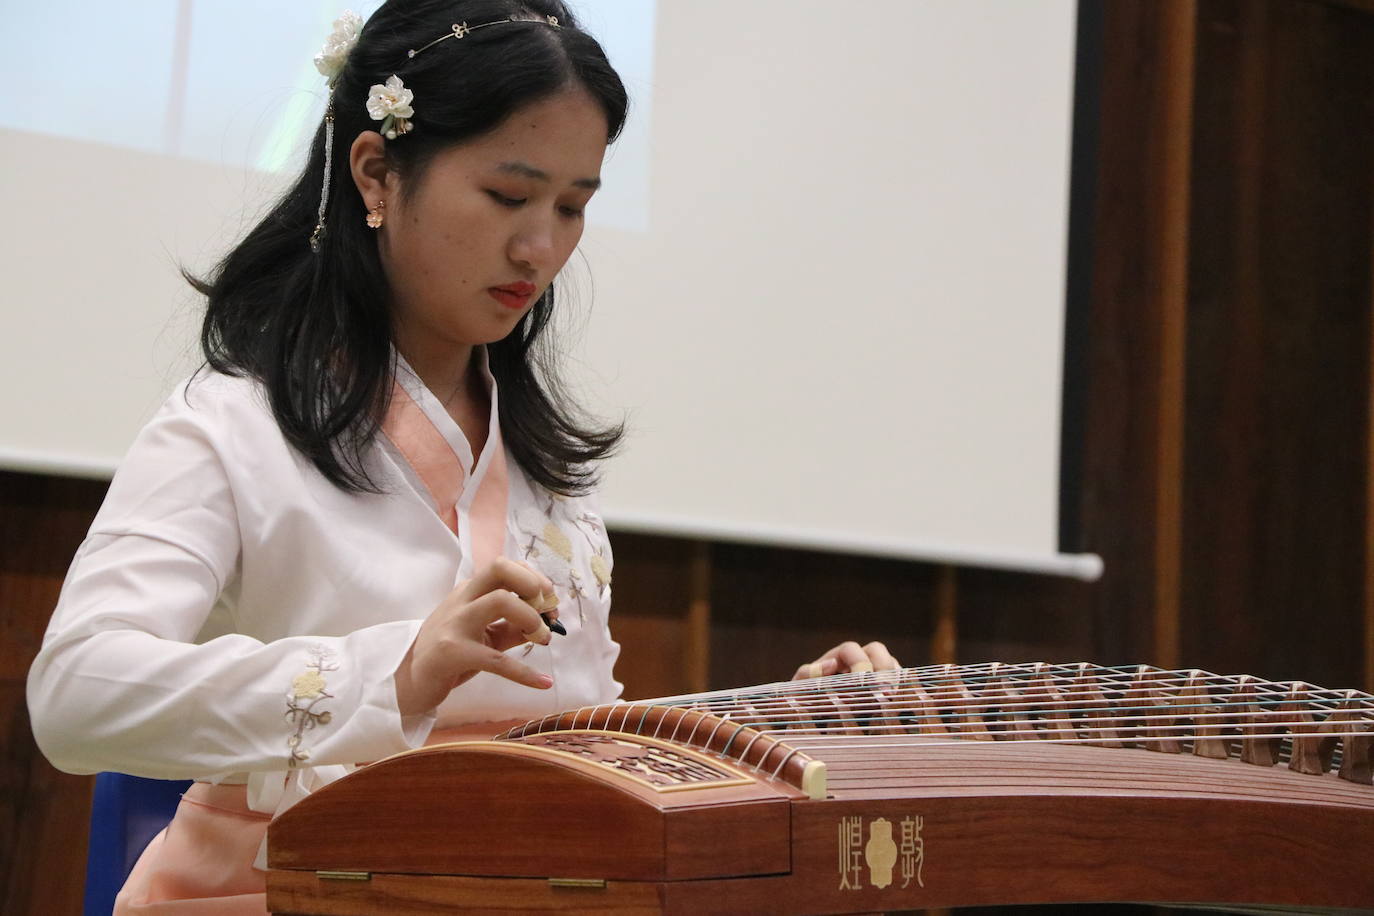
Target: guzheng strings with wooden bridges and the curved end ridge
{"x": 892, "y": 716}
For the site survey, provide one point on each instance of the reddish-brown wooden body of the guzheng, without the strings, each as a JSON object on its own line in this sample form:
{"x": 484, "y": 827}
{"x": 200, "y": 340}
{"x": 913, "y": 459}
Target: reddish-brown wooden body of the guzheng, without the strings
{"x": 982, "y": 823}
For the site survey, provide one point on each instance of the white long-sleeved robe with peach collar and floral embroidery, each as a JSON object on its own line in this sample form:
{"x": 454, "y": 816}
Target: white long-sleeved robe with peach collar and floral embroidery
{"x": 236, "y": 619}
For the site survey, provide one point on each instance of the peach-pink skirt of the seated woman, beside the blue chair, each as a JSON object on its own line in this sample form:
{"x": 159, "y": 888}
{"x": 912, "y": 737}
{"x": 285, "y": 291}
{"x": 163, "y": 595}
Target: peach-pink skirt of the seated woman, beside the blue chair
{"x": 203, "y": 863}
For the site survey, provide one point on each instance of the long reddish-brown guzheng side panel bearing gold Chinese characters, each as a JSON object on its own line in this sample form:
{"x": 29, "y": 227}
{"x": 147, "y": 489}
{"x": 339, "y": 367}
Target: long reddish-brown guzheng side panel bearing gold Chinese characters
{"x": 1079, "y": 849}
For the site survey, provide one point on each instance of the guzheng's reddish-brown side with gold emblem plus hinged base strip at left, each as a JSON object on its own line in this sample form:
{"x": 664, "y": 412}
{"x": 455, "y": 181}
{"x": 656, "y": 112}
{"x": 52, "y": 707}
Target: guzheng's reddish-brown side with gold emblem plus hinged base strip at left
{"x": 972, "y": 852}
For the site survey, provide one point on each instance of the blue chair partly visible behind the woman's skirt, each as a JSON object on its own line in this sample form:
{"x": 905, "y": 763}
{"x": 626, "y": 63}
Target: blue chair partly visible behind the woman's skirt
{"x": 127, "y": 812}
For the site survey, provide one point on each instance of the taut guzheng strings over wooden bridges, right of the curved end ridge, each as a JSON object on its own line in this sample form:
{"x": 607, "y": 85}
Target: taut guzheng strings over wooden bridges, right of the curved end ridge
{"x": 1044, "y": 704}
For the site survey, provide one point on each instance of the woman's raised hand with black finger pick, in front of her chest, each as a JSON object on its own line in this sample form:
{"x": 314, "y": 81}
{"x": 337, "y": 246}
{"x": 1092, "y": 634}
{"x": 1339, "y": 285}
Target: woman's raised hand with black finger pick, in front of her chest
{"x": 471, "y": 631}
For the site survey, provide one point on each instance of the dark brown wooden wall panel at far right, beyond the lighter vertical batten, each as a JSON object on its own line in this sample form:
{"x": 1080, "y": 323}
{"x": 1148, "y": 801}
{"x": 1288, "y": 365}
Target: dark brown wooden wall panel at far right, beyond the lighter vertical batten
{"x": 1279, "y": 340}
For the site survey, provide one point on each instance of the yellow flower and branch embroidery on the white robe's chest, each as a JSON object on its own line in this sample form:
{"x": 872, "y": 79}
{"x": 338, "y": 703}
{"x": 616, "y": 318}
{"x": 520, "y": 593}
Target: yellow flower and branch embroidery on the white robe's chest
{"x": 552, "y": 542}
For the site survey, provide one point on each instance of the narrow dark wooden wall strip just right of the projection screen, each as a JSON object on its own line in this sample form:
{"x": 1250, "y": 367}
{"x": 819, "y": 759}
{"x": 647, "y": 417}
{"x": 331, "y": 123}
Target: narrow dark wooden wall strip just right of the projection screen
{"x": 1141, "y": 134}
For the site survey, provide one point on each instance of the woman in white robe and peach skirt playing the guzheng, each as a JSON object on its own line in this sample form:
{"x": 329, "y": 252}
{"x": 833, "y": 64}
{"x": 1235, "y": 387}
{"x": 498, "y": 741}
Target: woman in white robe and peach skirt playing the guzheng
{"x": 355, "y": 528}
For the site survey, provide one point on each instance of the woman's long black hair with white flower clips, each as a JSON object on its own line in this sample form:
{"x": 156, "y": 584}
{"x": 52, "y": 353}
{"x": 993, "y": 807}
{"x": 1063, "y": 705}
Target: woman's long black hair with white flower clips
{"x": 315, "y": 328}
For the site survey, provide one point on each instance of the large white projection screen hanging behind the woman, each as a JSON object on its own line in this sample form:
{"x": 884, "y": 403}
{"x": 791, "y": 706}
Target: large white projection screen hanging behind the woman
{"x": 825, "y": 281}
